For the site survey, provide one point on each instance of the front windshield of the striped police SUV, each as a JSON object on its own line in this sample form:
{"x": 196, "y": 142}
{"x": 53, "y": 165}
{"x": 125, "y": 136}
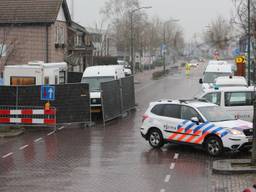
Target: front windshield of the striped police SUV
{"x": 215, "y": 114}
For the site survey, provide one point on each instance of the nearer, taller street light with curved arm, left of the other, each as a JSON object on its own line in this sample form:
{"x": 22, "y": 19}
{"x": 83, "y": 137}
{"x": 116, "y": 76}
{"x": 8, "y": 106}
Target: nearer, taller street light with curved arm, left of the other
{"x": 132, "y": 36}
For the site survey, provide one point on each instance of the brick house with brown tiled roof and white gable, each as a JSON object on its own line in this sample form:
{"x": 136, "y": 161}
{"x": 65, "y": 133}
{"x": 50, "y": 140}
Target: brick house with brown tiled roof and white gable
{"x": 34, "y": 30}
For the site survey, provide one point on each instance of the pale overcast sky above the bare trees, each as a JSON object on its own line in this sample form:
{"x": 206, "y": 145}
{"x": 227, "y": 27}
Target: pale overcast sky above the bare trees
{"x": 193, "y": 15}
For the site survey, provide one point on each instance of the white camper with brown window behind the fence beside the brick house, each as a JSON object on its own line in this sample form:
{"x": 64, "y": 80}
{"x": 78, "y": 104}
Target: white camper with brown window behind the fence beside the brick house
{"x": 35, "y": 73}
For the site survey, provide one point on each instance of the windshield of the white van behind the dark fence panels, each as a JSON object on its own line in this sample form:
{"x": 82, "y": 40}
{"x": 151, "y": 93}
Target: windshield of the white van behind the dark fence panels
{"x": 94, "y": 82}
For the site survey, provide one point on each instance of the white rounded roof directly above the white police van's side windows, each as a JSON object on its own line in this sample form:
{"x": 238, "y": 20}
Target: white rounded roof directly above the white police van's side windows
{"x": 229, "y": 81}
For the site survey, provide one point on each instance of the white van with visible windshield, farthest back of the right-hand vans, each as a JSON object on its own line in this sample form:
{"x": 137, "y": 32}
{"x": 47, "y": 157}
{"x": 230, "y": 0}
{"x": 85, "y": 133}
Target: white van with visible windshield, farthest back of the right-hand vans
{"x": 214, "y": 71}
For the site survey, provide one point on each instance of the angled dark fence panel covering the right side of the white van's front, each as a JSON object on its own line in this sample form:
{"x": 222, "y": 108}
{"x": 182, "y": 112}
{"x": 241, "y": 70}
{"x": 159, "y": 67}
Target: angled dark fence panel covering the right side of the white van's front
{"x": 111, "y": 100}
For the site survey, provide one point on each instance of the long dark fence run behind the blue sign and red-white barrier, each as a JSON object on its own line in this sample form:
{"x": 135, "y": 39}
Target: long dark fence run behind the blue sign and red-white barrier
{"x": 72, "y": 101}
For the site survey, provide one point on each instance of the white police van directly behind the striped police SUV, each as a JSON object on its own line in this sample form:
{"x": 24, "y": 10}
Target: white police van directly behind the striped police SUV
{"x": 237, "y": 100}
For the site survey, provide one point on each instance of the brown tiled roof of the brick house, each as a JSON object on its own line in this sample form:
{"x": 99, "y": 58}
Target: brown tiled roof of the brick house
{"x": 31, "y": 11}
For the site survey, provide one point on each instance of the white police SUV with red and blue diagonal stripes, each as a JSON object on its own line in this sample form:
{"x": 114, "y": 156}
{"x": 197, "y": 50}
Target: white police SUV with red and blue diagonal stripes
{"x": 195, "y": 122}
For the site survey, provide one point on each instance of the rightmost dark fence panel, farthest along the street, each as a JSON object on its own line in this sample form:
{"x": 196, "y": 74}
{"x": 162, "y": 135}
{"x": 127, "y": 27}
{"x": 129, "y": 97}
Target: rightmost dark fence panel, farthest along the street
{"x": 128, "y": 93}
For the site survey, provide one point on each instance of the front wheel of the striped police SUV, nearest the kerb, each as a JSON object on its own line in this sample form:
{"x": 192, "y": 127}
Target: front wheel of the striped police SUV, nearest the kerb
{"x": 213, "y": 146}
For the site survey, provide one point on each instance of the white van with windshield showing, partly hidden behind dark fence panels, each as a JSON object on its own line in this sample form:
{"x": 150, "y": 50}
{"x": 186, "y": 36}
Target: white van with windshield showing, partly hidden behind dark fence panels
{"x": 95, "y": 75}
